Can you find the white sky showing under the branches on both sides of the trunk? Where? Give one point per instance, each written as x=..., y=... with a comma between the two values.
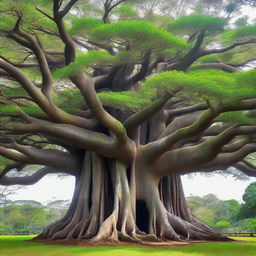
x=53, y=188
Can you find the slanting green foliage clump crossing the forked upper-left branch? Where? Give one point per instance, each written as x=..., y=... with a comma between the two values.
x=90, y=59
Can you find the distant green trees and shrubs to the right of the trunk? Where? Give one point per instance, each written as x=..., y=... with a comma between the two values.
x=226, y=215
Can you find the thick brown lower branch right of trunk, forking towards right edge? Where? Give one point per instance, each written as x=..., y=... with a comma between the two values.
x=200, y=155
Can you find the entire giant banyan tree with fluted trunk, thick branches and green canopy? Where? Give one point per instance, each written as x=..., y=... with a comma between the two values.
x=126, y=98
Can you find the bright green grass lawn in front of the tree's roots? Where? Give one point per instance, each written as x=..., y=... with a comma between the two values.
x=18, y=246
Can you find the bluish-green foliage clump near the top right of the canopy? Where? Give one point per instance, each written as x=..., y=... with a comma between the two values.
x=195, y=23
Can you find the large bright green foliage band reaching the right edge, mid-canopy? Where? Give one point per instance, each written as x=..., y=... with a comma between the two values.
x=211, y=84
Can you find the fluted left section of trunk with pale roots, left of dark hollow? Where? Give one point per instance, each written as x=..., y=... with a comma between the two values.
x=102, y=206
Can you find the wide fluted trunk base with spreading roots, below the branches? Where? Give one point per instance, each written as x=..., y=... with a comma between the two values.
x=103, y=208
